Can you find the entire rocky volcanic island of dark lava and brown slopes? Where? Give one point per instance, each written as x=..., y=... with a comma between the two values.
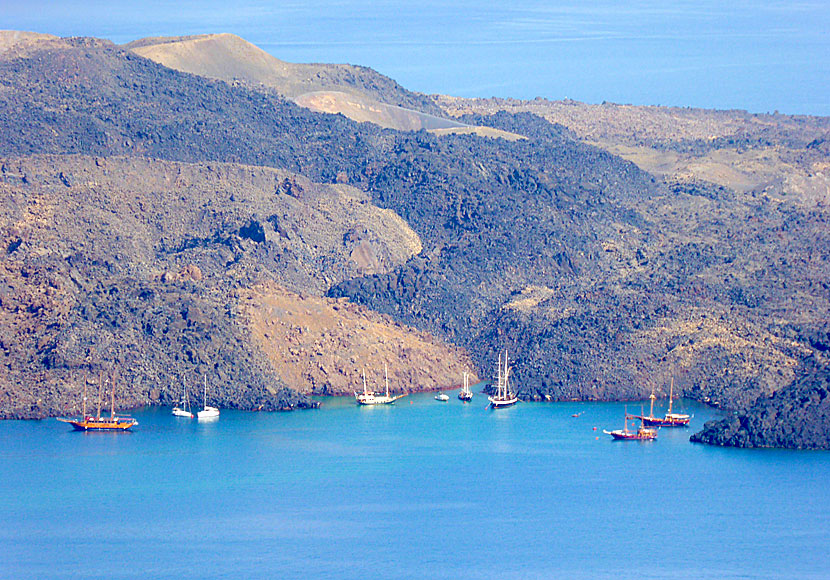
x=165, y=225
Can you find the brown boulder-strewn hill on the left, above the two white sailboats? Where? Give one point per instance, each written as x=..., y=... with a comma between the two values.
x=136, y=266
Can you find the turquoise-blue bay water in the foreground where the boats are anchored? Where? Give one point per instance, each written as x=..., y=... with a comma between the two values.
x=419, y=489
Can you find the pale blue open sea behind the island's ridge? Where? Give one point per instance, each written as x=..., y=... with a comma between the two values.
x=762, y=56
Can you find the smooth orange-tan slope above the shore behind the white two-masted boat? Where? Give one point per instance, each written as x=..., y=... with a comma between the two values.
x=321, y=345
